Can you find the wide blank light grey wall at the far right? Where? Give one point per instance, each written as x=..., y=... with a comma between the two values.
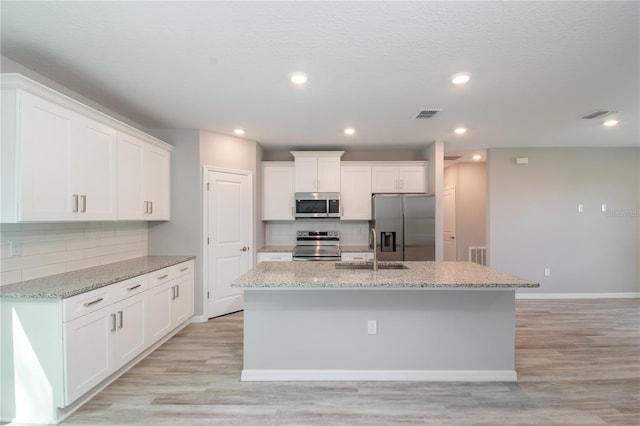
x=533, y=221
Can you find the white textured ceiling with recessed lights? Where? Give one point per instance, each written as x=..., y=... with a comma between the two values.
x=537, y=67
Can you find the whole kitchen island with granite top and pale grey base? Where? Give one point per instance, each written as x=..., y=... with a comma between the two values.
x=444, y=321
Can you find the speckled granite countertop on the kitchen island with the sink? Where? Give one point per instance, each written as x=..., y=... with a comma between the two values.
x=313, y=275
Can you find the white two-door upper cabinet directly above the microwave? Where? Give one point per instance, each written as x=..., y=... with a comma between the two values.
x=317, y=171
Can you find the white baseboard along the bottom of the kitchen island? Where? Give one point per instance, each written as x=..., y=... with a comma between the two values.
x=379, y=375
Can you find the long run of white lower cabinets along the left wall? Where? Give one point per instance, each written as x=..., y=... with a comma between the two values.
x=54, y=352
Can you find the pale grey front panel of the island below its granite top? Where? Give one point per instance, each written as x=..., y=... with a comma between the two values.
x=418, y=330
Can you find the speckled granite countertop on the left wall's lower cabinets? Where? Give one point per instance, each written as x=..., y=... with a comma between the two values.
x=69, y=284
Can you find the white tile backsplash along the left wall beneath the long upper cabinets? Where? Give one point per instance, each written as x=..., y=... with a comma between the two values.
x=34, y=250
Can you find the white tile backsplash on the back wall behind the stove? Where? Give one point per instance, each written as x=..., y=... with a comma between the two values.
x=284, y=233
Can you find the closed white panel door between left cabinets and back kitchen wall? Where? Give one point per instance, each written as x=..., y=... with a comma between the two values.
x=229, y=235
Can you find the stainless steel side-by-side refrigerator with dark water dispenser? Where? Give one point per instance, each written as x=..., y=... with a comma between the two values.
x=405, y=226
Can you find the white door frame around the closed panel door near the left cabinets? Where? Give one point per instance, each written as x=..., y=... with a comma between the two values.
x=205, y=227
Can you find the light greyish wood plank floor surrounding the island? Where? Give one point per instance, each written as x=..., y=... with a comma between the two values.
x=578, y=364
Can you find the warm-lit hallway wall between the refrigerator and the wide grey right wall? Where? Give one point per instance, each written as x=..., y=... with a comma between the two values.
x=470, y=182
